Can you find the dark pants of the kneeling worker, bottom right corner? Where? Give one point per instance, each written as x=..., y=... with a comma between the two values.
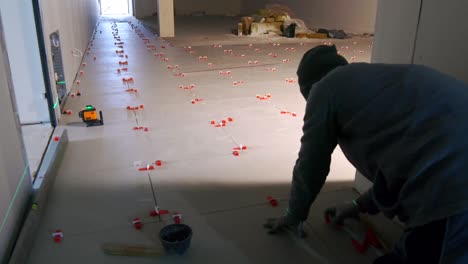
x=440, y=242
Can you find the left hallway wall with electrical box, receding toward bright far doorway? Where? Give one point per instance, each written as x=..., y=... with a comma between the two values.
x=75, y=21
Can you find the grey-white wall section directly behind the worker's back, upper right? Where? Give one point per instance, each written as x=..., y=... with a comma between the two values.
x=437, y=40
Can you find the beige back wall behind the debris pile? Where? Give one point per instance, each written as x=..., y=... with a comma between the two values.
x=357, y=16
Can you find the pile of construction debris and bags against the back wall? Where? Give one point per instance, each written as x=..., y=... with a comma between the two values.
x=276, y=19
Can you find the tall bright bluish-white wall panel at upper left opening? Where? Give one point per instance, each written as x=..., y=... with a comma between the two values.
x=24, y=58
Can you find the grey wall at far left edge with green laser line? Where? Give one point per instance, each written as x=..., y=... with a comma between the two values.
x=15, y=185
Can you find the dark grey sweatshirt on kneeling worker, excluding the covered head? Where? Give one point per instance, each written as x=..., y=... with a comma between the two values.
x=405, y=127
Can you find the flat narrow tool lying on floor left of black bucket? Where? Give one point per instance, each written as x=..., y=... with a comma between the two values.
x=131, y=250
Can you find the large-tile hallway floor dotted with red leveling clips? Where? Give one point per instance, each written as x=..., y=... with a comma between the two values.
x=99, y=189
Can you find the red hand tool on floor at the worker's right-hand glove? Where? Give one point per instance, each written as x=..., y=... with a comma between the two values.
x=362, y=236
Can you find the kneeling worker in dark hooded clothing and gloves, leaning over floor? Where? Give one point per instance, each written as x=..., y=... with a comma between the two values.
x=405, y=128
